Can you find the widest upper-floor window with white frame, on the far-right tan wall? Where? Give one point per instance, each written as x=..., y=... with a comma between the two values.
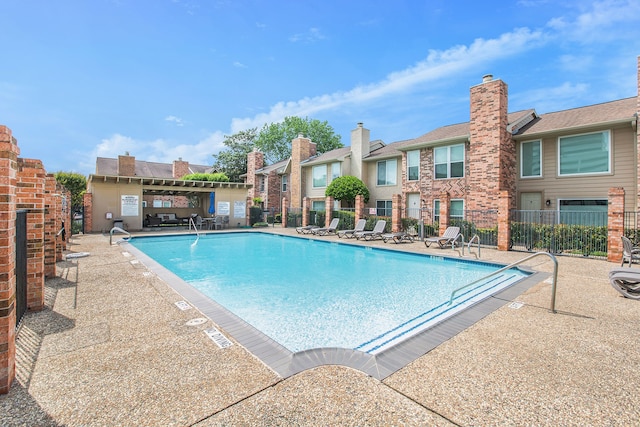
x=589, y=153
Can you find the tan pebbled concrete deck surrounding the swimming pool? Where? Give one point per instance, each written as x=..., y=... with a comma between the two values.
x=112, y=348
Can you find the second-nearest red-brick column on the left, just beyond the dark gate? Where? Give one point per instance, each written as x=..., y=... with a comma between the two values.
x=30, y=196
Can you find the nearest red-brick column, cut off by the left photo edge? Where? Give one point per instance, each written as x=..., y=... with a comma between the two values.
x=9, y=152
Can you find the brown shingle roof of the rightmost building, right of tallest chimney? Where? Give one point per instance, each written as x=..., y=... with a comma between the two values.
x=589, y=116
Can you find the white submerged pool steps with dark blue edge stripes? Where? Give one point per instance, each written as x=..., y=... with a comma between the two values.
x=438, y=313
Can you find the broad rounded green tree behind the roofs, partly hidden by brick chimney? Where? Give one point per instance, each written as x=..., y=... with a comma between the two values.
x=274, y=139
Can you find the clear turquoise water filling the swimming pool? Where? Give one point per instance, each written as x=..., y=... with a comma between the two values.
x=306, y=293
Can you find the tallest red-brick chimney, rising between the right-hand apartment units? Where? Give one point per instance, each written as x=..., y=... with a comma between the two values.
x=491, y=161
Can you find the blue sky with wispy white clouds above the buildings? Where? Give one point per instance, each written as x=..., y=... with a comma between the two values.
x=164, y=79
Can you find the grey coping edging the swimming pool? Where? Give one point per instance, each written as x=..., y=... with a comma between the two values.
x=380, y=365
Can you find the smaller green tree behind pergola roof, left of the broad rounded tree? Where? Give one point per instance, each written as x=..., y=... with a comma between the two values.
x=232, y=160
